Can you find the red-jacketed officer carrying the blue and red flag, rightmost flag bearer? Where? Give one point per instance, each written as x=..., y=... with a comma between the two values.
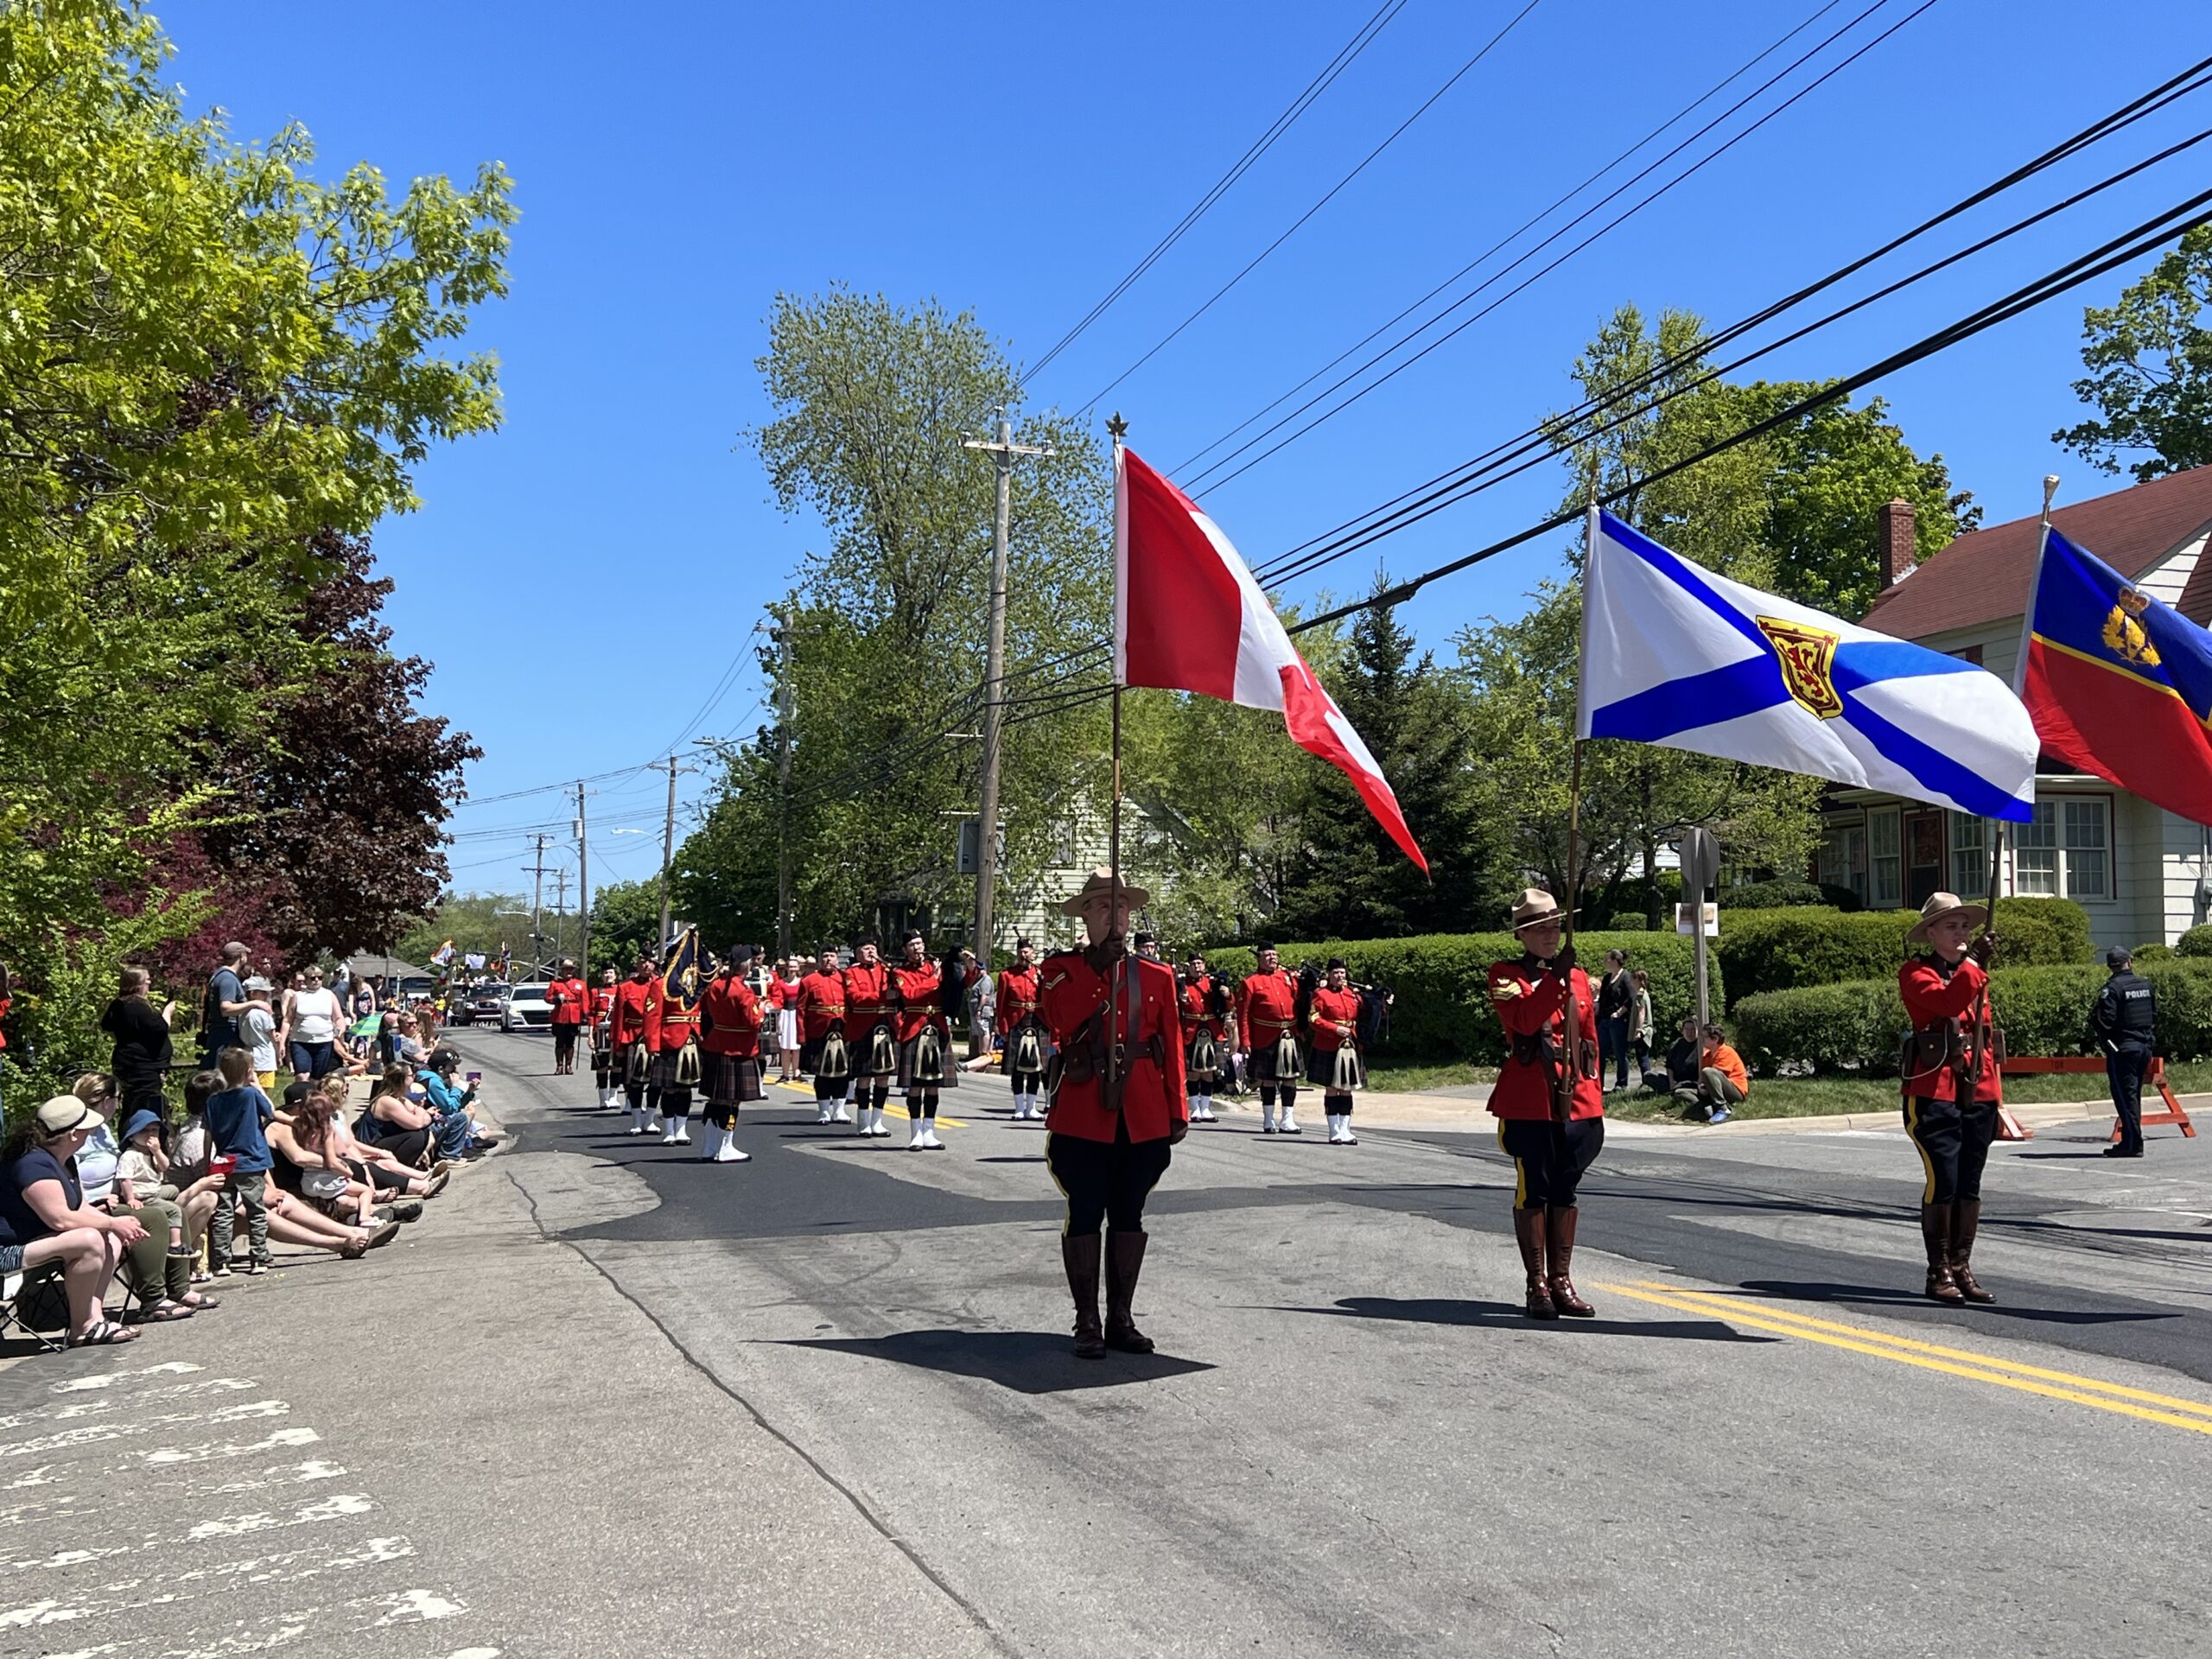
x=1952, y=1085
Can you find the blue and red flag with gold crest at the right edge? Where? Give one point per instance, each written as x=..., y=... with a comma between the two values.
x=2118, y=685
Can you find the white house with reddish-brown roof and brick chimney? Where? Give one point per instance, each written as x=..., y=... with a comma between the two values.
x=2138, y=870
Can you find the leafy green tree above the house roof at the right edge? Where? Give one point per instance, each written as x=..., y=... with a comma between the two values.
x=2149, y=364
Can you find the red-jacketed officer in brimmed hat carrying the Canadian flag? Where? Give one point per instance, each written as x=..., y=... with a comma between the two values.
x=1114, y=1019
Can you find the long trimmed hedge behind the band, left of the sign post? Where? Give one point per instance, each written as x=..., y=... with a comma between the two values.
x=1443, y=1005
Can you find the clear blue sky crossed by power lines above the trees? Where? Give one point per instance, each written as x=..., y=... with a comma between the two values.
x=585, y=578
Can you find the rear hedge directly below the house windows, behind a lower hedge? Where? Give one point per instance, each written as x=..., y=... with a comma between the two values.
x=1784, y=950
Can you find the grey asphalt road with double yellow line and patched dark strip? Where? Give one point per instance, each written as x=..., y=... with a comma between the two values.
x=623, y=1401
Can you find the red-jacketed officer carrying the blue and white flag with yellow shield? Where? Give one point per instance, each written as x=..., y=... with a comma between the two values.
x=1550, y=1147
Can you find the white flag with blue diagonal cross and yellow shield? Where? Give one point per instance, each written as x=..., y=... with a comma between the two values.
x=1673, y=654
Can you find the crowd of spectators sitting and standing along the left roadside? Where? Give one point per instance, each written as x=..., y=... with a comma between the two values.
x=114, y=1189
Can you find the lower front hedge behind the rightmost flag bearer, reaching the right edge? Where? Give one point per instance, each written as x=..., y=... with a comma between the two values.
x=2043, y=1010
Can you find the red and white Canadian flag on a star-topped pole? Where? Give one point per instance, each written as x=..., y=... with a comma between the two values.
x=1189, y=616
